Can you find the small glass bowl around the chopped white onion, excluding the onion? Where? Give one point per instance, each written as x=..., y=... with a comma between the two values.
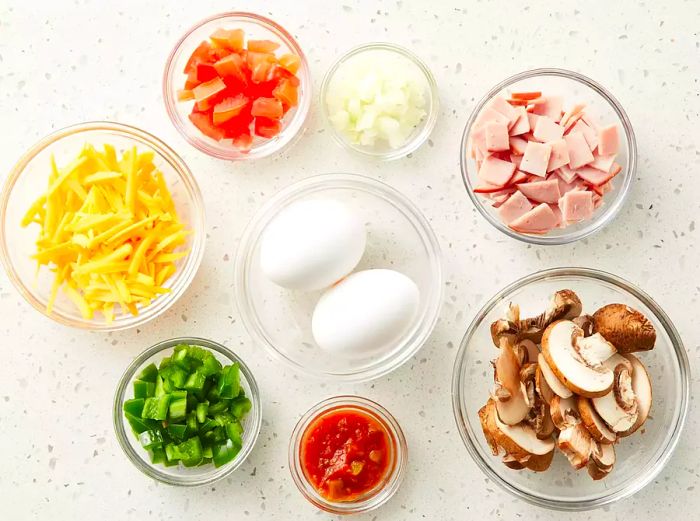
x=432, y=108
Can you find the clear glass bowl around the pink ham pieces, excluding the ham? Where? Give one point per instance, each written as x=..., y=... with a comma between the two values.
x=604, y=108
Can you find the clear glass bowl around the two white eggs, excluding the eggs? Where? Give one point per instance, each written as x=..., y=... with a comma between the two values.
x=398, y=237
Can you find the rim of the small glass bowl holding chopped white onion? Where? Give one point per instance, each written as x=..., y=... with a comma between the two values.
x=430, y=119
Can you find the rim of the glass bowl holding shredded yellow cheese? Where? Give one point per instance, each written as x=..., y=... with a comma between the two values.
x=132, y=133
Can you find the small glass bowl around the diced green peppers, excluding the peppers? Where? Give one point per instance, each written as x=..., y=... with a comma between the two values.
x=181, y=475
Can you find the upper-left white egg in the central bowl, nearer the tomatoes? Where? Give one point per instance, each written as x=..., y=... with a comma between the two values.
x=312, y=244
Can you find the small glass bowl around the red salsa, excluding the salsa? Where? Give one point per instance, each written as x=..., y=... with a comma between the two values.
x=397, y=467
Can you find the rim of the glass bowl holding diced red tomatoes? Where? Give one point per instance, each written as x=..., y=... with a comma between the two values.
x=294, y=126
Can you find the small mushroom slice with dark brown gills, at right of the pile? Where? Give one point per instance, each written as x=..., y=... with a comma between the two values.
x=619, y=407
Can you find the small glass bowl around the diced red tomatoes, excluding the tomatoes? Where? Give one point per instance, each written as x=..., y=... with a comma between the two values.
x=257, y=27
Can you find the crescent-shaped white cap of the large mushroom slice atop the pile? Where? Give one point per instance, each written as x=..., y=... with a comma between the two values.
x=558, y=347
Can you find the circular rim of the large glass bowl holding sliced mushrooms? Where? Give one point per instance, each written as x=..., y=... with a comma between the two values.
x=678, y=350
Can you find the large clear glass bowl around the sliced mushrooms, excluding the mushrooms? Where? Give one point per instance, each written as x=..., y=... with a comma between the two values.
x=640, y=457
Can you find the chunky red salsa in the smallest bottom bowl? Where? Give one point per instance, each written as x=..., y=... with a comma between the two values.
x=345, y=453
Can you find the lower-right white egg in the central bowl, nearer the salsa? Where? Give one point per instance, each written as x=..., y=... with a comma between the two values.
x=367, y=312
